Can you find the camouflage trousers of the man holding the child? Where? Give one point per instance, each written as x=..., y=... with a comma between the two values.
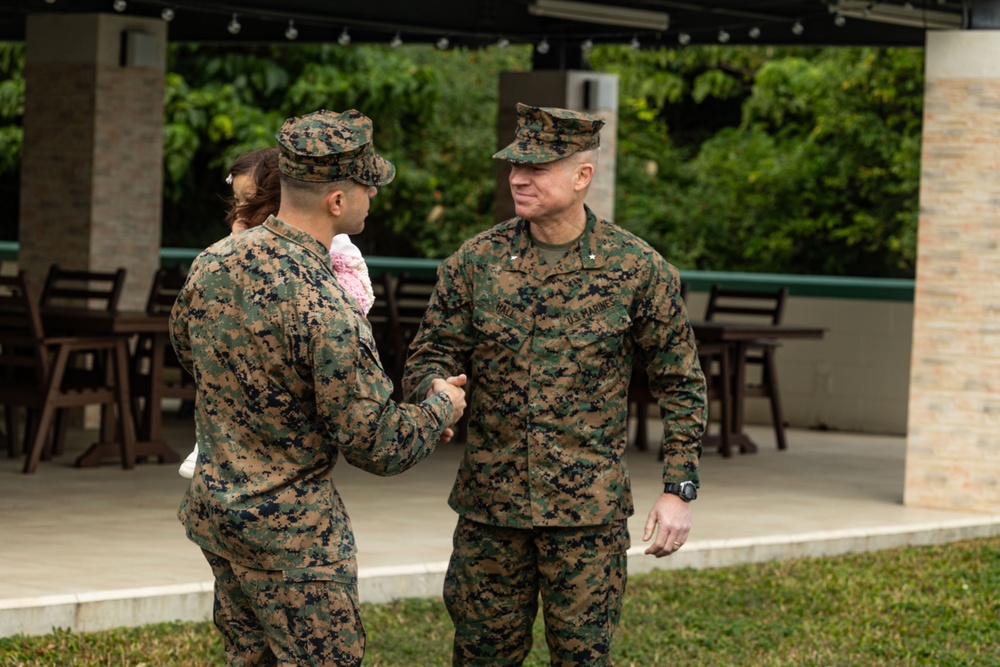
x=288, y=618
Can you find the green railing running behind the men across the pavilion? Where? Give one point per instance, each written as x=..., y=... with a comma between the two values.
x=874, y=289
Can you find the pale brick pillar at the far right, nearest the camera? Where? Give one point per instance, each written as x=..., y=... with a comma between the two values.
x=953, y=434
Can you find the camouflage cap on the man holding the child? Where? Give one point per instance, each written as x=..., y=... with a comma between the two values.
x=330, y=146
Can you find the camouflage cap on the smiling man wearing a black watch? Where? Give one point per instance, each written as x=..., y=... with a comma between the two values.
x=547, y=134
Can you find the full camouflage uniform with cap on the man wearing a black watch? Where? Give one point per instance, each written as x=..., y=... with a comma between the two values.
x=543, y=490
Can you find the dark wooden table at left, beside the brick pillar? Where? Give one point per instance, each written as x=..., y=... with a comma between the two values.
x=122, y=325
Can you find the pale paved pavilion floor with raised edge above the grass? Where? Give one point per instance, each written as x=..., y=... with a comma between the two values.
x=96, y=548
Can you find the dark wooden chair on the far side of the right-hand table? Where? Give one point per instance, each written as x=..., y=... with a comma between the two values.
x=752, y=305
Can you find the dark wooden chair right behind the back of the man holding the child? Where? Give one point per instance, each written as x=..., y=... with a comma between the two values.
x=166, y=379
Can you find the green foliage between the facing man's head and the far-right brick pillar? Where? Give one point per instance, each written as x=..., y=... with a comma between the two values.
x=818, y=174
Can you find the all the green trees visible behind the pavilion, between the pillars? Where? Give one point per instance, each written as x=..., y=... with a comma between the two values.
x=730, y=158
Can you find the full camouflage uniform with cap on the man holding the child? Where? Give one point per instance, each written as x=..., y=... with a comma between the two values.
x=288, y=379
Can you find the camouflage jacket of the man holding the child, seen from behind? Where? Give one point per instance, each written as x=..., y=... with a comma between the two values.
x=288, y=379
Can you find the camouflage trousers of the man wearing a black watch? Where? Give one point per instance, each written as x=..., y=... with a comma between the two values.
x=495, y=578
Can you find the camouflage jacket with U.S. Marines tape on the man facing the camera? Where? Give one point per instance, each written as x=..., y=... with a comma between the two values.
x=549, y=351
